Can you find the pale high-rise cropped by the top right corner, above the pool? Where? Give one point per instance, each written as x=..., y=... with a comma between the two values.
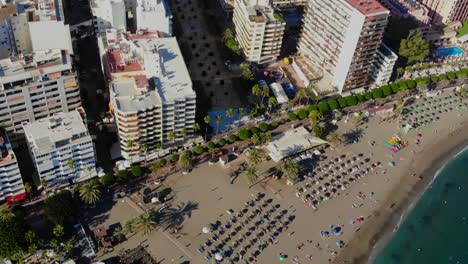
x=446, y=11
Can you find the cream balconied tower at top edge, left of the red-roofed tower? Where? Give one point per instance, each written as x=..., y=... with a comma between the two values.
x=259, y=30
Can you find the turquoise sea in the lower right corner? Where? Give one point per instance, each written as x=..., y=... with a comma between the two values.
x=436, y=230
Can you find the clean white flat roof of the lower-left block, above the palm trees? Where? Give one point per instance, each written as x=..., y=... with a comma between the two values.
x=61, y=127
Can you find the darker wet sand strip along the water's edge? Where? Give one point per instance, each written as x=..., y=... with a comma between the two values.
x=372, y=238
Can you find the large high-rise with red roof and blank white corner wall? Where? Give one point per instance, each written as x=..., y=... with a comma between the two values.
x=341, y=38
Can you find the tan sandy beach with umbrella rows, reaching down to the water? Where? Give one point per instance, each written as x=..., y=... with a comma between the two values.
x=363, y=211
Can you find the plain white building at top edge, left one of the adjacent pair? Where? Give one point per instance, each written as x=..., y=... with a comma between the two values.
x=109, y=14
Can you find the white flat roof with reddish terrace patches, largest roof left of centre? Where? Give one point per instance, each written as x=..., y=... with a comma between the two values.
x=156, y=70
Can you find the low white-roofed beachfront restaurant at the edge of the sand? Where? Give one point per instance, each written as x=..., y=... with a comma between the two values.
x=292, y=142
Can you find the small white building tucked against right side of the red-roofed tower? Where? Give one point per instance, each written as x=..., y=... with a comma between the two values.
x=383, y=65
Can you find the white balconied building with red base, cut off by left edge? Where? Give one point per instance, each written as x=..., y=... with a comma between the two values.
x=11, y=184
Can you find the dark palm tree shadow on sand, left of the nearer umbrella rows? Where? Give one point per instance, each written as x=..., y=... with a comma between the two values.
x=174, y=217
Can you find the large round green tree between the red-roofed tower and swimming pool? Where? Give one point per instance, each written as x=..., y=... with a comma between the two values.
x=414, y=48
